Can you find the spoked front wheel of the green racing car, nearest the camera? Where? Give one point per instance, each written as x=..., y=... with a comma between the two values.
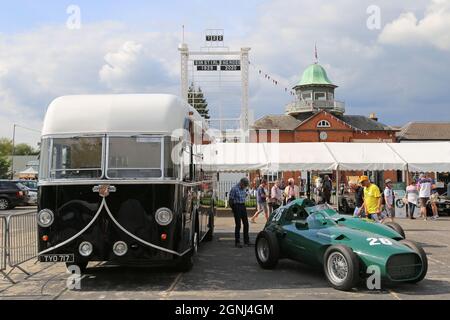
x=341, y=267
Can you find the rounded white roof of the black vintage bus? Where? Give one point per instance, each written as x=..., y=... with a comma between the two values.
x=124, y=113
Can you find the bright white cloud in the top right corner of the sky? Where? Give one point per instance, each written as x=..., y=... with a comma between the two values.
x=432, y=29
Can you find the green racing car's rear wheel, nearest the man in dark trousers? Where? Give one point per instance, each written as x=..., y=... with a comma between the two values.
x=267, y=250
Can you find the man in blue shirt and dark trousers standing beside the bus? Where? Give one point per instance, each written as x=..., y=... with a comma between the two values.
x=237, y=197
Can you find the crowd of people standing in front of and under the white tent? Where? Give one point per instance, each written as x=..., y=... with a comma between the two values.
x=370, y=202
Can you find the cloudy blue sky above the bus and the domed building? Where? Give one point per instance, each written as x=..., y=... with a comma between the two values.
x=387, y=57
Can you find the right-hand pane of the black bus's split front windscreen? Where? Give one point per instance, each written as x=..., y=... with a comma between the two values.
x=134, y=157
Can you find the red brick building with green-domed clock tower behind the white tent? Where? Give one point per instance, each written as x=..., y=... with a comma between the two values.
x=316, y=116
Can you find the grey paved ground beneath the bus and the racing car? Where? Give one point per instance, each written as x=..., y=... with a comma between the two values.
x=224, y=272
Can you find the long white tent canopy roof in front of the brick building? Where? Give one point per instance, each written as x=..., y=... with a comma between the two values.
x=415, y=157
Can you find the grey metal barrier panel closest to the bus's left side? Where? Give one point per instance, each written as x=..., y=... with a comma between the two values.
x=22, y=238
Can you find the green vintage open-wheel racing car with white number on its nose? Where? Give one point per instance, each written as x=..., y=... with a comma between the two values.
x=347, y=248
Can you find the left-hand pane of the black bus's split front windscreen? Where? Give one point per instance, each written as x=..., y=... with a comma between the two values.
x=75, y=158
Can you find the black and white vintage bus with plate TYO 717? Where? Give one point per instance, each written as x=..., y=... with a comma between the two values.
x=121, y=180
